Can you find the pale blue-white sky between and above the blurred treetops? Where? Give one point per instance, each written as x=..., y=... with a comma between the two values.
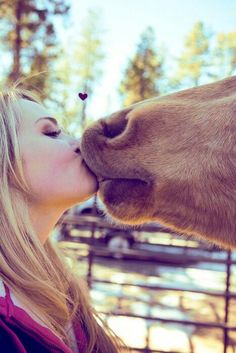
x=125, y=20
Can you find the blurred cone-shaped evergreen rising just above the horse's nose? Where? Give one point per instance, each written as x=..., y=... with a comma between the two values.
x=143, y=72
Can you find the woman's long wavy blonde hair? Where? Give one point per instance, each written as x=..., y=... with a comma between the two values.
x=37, y=273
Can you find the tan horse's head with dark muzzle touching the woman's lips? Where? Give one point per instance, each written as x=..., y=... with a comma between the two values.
x=171, y=159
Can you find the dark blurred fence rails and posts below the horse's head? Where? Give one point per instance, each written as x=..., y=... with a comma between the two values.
x=94, y=224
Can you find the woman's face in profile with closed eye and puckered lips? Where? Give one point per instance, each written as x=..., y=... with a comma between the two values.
x=55, y=171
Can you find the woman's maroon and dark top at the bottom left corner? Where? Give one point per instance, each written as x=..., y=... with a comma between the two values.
x=20, y=333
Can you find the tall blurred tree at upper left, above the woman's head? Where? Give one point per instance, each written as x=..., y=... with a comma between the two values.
x=28, y=35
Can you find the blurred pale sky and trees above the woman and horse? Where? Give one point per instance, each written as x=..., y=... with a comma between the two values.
x=119, y=52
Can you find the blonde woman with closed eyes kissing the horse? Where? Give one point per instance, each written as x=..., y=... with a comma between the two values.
x=43, y=306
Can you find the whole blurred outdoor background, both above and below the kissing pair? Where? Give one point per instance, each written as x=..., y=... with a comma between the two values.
x=161, y=292
